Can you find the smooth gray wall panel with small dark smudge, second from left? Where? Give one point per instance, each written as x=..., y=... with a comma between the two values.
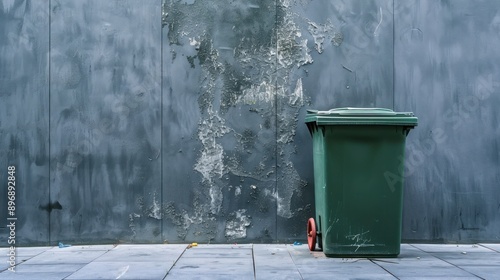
x=105, y=121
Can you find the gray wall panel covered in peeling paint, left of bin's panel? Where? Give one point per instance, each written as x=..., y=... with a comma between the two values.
x=219, y=121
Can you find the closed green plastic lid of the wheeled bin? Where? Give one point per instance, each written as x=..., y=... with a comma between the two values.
x=361, y=116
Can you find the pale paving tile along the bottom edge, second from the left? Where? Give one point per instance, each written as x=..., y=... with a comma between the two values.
x=122, y=270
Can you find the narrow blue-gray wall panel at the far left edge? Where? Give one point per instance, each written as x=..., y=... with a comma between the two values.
x=24, y=117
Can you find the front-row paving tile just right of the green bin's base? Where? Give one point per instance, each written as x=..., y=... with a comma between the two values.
x=423, y=268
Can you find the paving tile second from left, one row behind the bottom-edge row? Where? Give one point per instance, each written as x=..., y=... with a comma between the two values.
x=61, y=257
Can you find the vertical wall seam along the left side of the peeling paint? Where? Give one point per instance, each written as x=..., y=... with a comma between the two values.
x=161, y=118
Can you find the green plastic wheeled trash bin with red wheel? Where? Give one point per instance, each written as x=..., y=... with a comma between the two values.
x=358, y=180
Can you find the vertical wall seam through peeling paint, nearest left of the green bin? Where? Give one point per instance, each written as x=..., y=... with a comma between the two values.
x=276, y=112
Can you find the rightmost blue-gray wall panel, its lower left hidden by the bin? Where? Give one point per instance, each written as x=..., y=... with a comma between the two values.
x=447, y=73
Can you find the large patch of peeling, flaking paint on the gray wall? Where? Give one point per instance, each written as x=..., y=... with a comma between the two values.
x=241, y=71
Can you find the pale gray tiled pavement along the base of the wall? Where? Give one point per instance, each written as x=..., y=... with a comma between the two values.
x=249, y=261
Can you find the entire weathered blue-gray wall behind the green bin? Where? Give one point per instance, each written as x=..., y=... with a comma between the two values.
x=182, y=120
